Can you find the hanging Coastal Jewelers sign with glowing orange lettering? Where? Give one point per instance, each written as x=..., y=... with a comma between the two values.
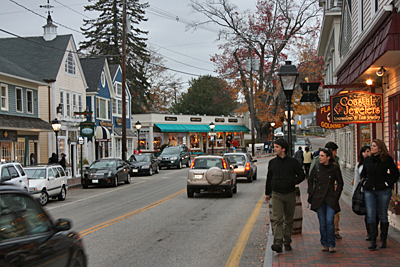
x=357, y=107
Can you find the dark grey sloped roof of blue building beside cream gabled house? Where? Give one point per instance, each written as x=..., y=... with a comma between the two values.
x=92, y=68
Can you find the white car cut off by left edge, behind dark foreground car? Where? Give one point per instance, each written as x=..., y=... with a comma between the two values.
x=13, y=173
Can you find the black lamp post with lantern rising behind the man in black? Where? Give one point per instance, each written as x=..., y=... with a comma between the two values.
x=288, y=75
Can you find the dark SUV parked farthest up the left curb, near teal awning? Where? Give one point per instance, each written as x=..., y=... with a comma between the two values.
x=174, y=156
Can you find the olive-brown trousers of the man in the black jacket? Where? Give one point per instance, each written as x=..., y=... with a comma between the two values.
x=283, y=206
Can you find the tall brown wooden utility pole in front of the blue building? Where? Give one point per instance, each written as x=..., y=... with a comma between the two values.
x=124, y=80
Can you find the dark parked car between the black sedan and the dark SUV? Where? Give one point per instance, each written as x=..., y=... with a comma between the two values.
x=145, y=163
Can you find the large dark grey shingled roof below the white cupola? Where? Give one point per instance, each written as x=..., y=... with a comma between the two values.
x=33, y=57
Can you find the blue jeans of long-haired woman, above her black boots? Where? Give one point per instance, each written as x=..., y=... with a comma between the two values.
x=377, y=202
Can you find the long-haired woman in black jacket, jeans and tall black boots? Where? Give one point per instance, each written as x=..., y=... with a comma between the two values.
x=381, y=174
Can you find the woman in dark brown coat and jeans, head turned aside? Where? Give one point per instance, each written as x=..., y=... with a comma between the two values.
x=325, y=195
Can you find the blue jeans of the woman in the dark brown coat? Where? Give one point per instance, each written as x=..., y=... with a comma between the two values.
x=326, y=217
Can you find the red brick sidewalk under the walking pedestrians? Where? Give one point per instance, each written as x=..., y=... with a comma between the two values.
x=350, y=251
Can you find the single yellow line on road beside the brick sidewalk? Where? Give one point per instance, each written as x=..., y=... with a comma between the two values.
x=237, y=251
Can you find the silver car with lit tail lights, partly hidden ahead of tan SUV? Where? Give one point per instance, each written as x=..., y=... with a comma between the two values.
x=247, y=166
